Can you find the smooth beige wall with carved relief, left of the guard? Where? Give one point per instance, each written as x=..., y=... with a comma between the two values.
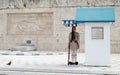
x=42, y=26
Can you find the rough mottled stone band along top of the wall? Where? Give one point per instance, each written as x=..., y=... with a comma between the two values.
x=56, y=3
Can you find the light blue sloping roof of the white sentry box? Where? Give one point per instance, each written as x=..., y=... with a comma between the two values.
x=95, y=15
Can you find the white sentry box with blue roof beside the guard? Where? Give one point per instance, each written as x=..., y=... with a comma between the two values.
x=97, y=23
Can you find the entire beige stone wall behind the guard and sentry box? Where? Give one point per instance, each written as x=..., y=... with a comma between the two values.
x=40, y=22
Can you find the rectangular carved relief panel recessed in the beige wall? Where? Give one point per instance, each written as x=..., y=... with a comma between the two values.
x=30, y=24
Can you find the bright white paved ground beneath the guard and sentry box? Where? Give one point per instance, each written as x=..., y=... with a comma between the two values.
x=53, y=64
